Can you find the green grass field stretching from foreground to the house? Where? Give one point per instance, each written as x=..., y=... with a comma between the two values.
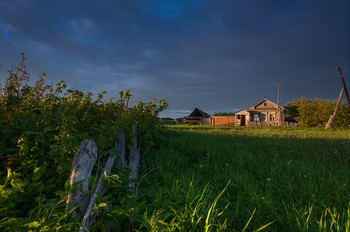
x=207, y=178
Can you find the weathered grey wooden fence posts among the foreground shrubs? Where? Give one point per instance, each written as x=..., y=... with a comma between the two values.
x=83, y=200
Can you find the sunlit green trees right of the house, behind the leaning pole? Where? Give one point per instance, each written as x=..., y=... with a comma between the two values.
x=316, y=112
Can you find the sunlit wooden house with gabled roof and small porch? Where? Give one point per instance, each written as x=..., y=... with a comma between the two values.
x=263, y=113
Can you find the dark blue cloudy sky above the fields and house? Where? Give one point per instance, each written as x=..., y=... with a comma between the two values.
x=216, y=55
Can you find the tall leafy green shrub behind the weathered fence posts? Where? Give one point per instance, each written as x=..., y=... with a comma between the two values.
x=41, y=127
